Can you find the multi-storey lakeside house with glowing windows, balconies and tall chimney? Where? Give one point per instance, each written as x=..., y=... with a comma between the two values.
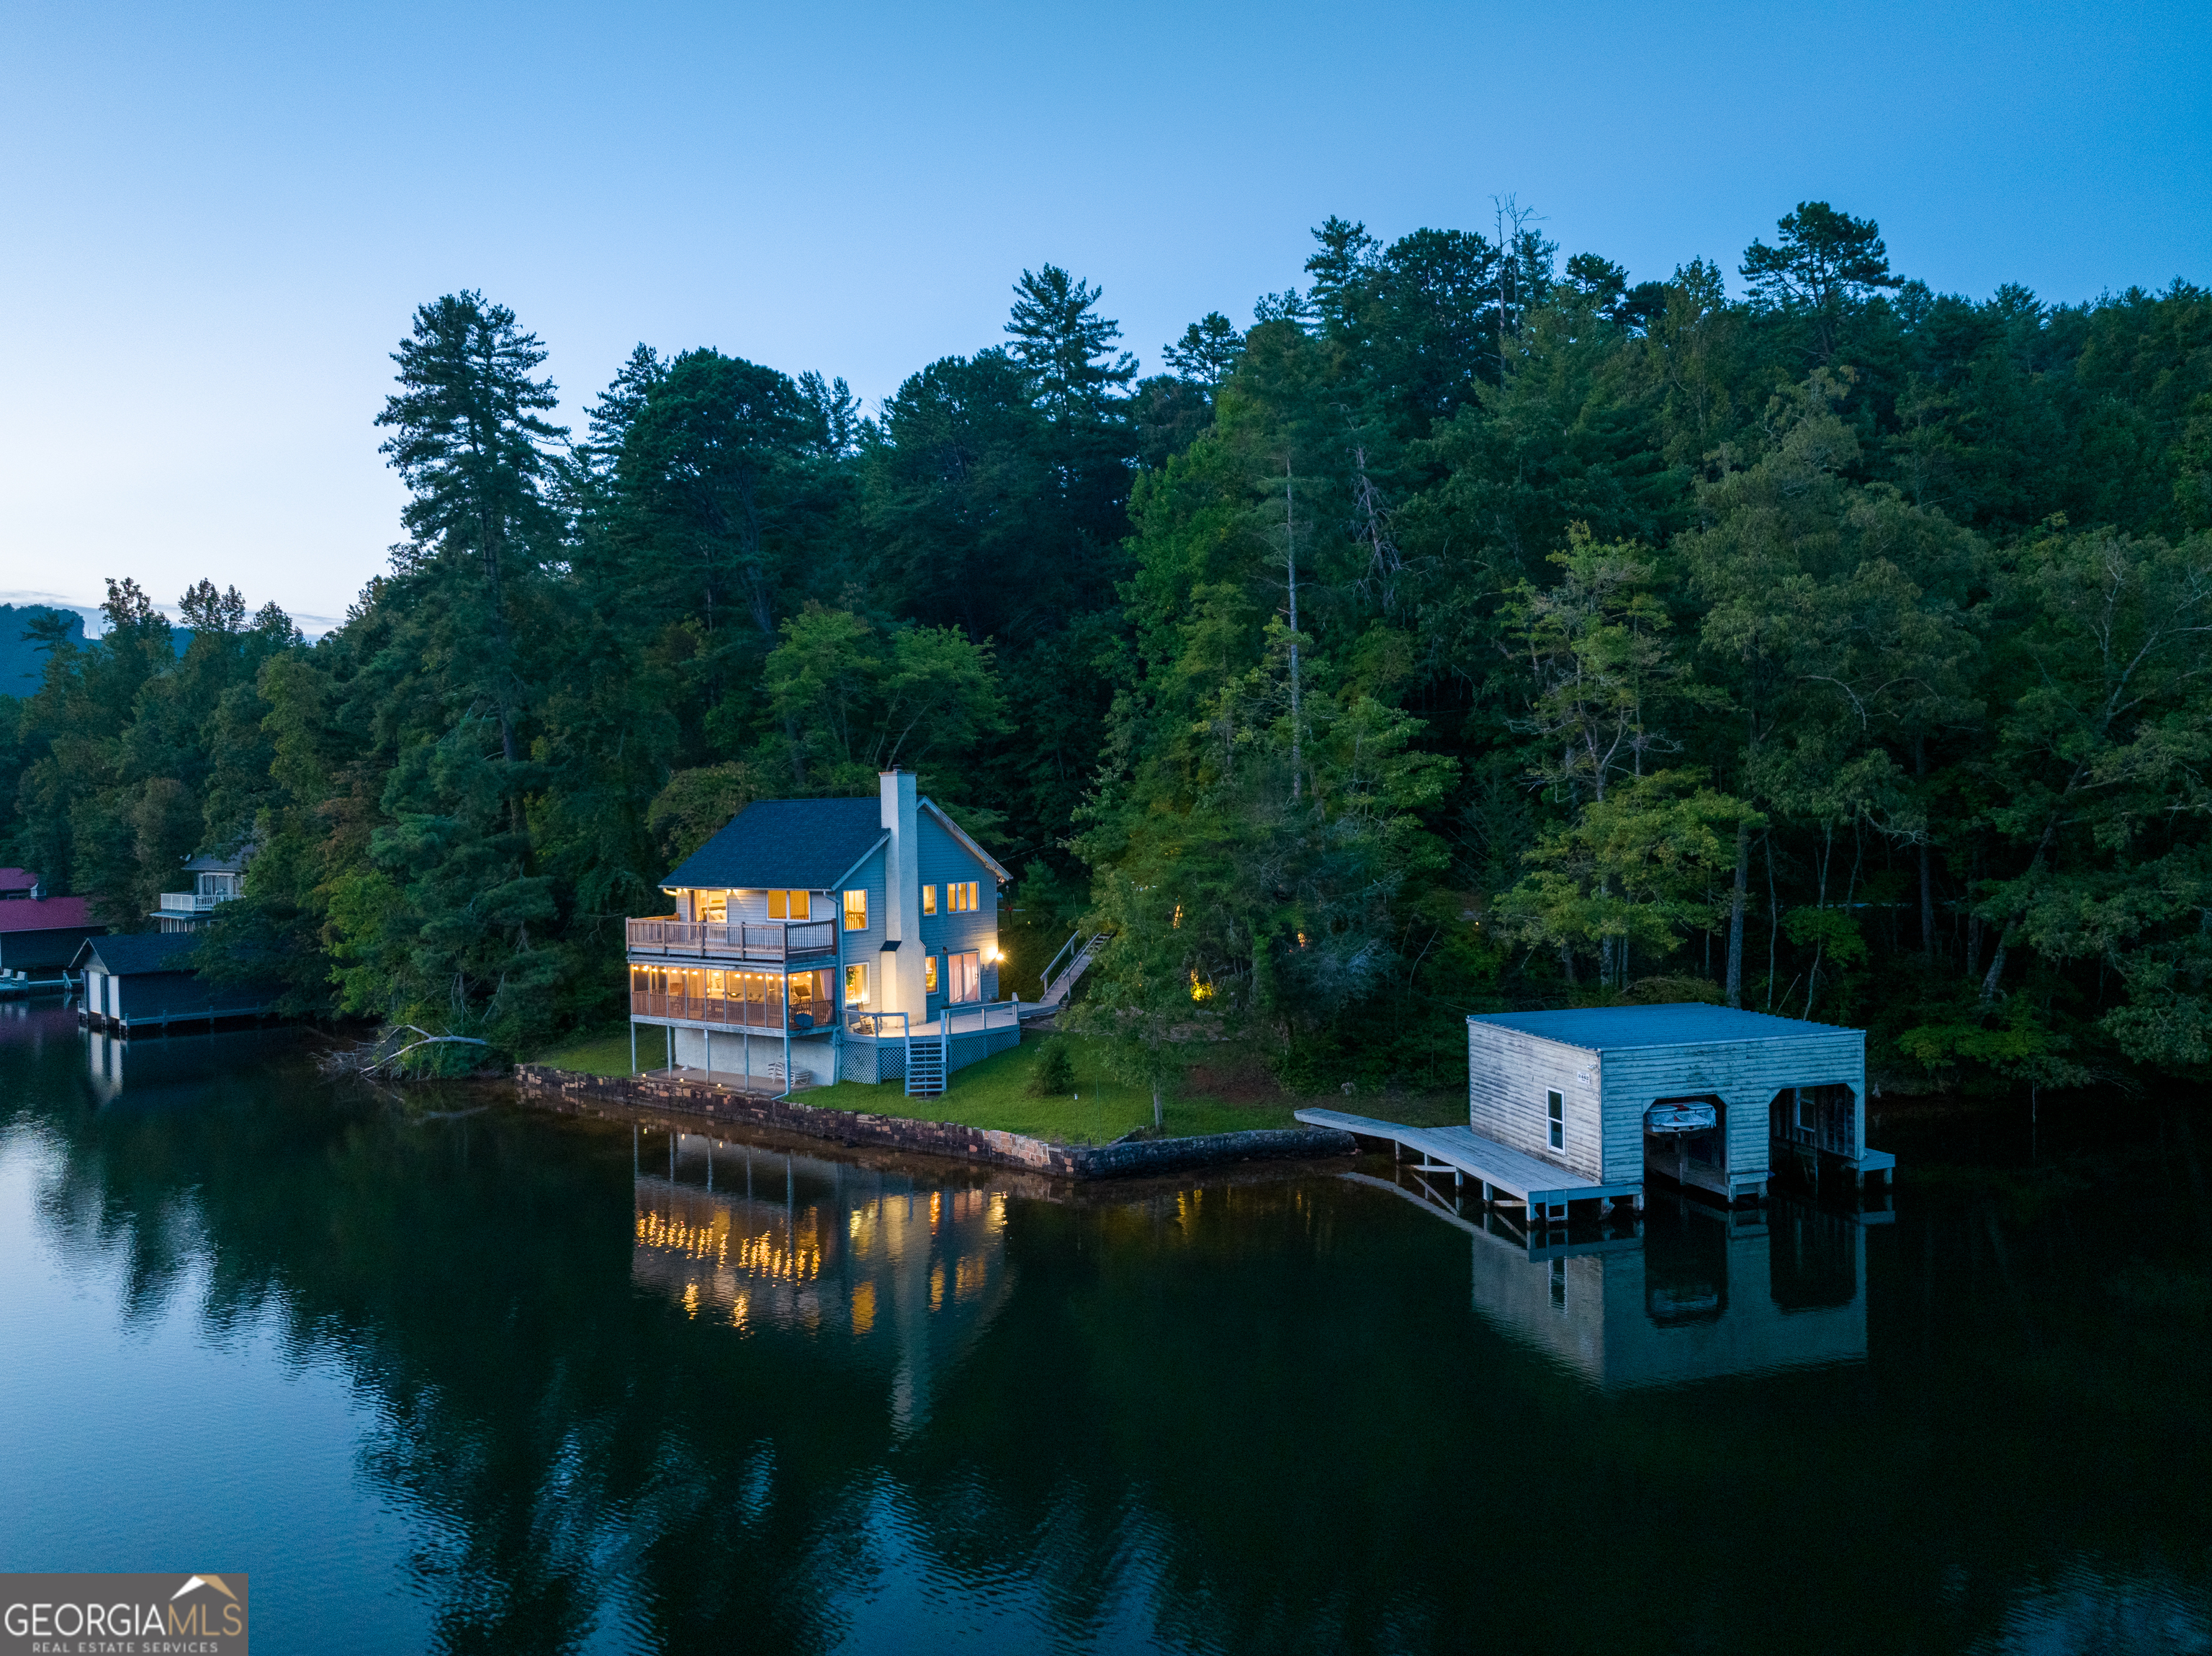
x=828, y=939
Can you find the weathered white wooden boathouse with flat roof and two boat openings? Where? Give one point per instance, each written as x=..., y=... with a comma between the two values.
x=1702, y=1096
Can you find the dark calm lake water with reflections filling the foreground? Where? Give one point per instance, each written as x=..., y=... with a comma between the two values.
x=466, y=1379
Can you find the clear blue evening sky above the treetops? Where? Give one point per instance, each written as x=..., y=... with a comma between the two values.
x=220, y=218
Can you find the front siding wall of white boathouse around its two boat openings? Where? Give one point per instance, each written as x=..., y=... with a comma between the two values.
x=1744, y=1076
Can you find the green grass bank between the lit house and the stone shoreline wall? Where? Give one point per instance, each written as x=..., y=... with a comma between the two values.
x=1096, y=1111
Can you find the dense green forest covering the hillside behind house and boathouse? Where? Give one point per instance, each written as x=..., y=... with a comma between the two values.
x=1472, y=631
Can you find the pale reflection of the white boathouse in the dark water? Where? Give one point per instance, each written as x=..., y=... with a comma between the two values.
x=1702, y=1295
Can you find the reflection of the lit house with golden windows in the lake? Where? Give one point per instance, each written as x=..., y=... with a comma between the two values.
x=775, y=1239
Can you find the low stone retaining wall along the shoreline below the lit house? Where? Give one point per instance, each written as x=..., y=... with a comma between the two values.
x=930, y=1138
